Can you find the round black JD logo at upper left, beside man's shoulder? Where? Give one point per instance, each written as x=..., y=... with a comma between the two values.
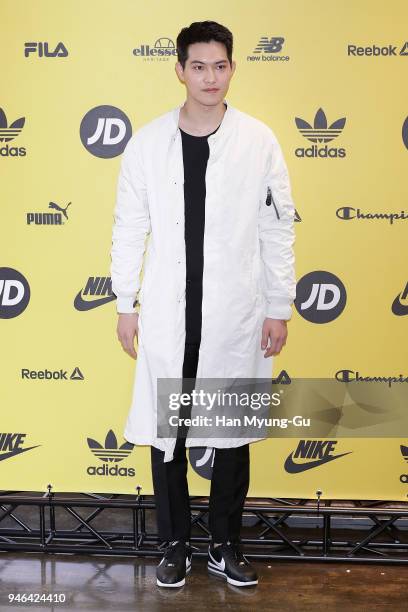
x=105, y=131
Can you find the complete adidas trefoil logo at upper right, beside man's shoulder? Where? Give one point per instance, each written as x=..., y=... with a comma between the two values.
x=320, y=132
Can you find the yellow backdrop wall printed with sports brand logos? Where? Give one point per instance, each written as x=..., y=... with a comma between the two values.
x=301, y=67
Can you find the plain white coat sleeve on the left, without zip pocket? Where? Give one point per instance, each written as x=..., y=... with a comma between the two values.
x=130, y=228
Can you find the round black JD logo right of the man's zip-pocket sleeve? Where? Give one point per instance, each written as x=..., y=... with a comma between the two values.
x=320, y=297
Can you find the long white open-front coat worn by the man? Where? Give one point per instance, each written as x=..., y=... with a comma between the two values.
x=248, y=258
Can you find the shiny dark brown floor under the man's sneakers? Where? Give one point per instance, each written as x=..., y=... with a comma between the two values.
x=121, y=583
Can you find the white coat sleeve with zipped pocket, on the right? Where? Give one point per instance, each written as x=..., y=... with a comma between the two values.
x=277, y=235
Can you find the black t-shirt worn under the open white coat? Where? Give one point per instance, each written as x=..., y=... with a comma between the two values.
x=195, y=156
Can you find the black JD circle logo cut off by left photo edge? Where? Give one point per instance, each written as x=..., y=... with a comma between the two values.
x=14, y=293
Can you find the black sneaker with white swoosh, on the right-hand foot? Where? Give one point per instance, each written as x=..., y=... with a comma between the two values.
x=228, y=561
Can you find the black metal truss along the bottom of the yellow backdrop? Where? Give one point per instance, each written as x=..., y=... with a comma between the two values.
x=350, y=531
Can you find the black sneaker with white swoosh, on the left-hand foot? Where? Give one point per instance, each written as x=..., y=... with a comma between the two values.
x=175, y=564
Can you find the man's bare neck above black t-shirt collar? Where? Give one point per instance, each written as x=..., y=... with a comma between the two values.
x=200, y=120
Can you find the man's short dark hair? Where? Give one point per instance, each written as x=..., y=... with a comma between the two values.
x=203, y=31
